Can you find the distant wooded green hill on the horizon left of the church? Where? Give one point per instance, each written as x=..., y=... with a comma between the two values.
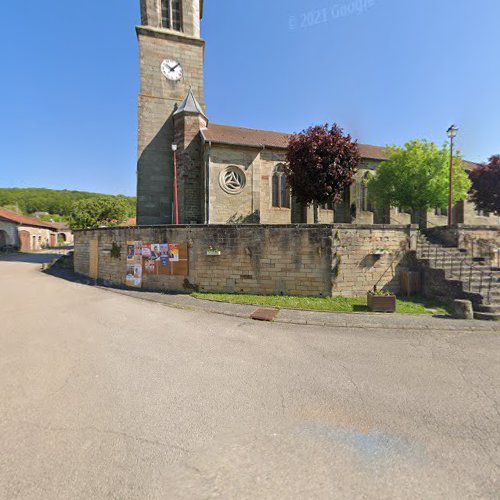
x=52, y=201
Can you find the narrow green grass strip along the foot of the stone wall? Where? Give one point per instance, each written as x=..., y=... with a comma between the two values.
x=412, y=305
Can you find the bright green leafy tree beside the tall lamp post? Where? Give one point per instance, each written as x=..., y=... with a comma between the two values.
x=416, y=178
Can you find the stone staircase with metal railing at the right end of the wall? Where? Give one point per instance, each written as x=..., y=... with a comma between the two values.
x=462, y=277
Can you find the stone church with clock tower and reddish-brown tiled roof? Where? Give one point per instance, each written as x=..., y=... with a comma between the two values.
x=193, y=171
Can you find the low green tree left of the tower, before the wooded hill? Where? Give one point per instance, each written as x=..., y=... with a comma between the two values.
x=98, y=212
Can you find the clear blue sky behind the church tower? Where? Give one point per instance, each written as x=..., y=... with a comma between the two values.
x=385, y=70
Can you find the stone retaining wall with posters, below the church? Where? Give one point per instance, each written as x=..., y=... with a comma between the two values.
x=310, y=260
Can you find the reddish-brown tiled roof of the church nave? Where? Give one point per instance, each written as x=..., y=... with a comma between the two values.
x=239, y=136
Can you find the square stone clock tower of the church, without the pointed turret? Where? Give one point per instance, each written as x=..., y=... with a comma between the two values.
x=170, y=31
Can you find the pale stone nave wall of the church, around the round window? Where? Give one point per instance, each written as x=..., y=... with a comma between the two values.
x=254, y=203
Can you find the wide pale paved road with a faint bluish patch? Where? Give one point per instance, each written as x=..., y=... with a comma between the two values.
x=107, y=396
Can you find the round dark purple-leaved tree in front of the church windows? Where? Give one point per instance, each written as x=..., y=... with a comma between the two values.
x=321, y=162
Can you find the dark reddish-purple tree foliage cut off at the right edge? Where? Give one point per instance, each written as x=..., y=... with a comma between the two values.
x=486, y=186
